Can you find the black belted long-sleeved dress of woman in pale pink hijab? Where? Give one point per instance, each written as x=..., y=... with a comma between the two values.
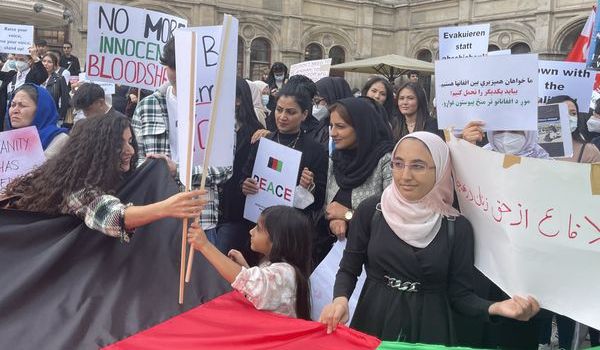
x=443, y=270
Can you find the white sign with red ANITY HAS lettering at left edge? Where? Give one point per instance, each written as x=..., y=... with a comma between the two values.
x=20, y=152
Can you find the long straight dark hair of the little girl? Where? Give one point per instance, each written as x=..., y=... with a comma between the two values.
x=291, y=233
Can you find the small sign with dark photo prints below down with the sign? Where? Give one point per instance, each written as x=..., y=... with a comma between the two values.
x=554, y=133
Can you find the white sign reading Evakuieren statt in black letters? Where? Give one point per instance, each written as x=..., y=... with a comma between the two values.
x=464, y=41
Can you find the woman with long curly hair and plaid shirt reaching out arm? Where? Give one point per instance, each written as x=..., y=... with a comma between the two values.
x=82, y=181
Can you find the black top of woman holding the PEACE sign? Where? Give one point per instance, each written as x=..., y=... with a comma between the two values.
x=314, y=157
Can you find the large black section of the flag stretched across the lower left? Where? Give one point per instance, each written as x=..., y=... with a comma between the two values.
x=64, y=286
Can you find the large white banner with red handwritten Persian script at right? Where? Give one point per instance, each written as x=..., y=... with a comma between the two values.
x=536, y=225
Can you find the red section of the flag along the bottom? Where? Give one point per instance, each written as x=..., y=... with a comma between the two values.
x=232, y=322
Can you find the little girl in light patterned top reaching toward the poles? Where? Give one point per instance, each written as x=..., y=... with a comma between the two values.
x=280, y=283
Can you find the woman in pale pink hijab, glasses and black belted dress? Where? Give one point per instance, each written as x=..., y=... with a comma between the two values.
x=418, y=254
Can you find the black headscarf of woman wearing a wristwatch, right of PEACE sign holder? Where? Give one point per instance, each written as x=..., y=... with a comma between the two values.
x=352, y=167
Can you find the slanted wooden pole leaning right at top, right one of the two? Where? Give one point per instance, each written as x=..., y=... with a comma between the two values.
x=213, y=120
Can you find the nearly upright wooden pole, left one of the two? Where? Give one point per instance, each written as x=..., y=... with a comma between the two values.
x=190, y=154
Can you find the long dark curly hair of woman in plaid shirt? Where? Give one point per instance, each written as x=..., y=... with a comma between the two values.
x=90, y=159
